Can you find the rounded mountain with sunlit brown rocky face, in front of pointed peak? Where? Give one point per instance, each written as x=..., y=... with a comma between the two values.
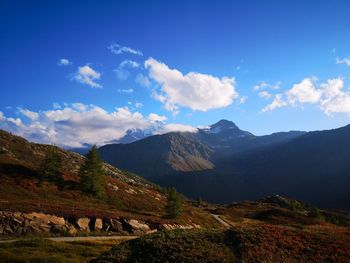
x=160, y=154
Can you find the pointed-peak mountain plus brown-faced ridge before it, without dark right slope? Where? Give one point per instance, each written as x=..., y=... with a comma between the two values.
x=174, y=152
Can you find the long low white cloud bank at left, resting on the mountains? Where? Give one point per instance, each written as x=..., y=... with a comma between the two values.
x=77, y=124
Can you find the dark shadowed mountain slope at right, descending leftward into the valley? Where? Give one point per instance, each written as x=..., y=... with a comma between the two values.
x=313, y=167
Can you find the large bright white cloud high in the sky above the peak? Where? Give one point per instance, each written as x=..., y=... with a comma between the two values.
x=199, y=92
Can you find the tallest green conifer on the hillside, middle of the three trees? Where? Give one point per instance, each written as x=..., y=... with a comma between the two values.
x=92, y=175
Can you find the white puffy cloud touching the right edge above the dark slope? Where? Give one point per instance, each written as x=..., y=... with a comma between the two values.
x=330, y=96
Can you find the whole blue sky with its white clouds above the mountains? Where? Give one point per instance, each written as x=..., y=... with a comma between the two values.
x=290, y=61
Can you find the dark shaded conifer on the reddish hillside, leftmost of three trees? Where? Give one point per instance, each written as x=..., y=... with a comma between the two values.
x=50, y=167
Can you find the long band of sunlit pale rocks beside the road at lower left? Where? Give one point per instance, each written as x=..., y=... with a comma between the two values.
x=16, y=224
